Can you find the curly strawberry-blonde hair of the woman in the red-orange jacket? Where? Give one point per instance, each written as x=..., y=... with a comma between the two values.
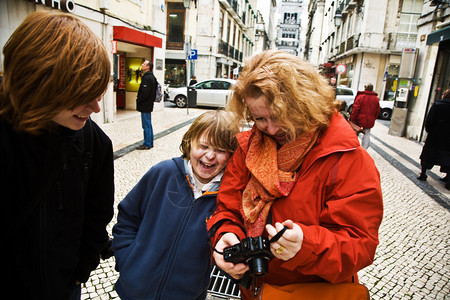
x=299, y=97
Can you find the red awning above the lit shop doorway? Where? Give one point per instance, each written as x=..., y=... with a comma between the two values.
x=133, y=36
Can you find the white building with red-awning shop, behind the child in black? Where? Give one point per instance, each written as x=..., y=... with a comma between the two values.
x=126, y=29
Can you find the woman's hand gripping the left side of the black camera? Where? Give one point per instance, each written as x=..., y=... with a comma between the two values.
x=234, y=270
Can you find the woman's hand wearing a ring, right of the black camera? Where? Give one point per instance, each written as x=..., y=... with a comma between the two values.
x=289, y=243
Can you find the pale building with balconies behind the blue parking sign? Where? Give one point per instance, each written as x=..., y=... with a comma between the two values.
x=220, y=33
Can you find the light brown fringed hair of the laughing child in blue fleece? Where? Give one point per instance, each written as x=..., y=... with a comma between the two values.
x=220, y=132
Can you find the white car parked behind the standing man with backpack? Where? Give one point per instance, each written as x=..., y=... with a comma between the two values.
x=211, y=92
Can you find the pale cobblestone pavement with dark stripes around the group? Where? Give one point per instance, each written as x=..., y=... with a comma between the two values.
x=412, y=260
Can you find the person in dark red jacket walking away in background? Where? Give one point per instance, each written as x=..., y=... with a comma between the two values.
x=366, y=109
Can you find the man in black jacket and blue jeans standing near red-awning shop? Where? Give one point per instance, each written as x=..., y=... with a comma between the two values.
x=144, y=103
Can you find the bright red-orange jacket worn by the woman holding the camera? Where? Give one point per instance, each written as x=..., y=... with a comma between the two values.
x=337, y=202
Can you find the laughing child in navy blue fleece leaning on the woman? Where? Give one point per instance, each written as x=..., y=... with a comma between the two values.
x=160, y=239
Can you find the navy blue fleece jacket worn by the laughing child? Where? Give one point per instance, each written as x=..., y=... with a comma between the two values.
x=160, y=239
